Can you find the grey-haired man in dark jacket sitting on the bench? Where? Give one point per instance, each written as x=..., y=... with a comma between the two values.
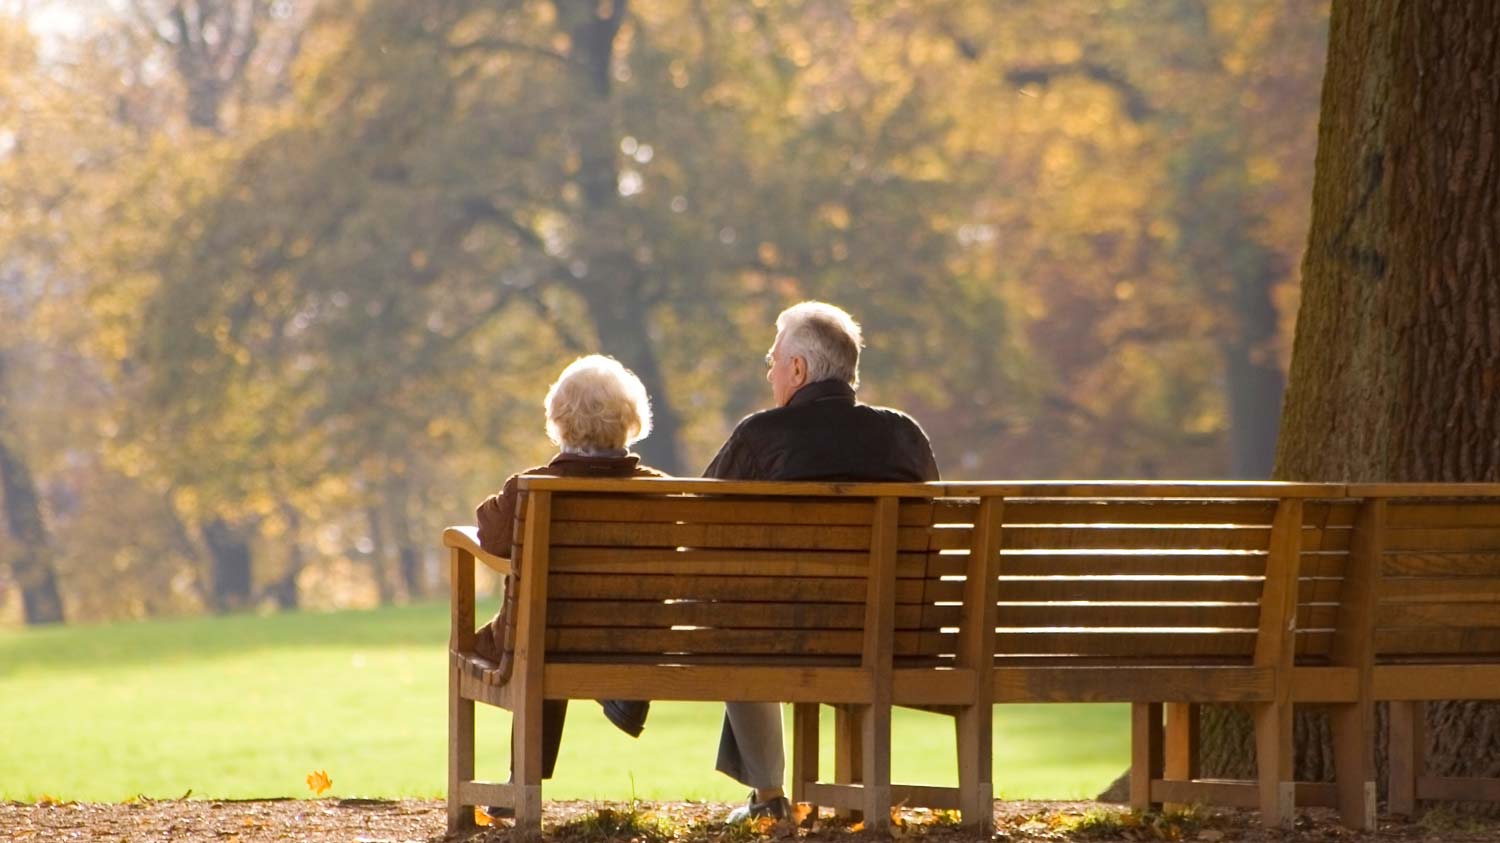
x=817, y=431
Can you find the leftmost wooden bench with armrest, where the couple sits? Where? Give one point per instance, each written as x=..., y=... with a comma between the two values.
x=697, y=590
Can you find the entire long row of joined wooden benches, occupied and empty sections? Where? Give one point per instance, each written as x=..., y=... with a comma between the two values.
x=959, y=596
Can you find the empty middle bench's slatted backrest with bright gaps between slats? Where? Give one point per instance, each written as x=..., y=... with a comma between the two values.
x=1135, y=580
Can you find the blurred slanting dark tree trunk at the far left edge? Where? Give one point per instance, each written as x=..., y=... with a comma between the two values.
x=41, y=602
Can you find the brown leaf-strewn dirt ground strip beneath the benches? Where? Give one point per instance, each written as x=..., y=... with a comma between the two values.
x=379, y=821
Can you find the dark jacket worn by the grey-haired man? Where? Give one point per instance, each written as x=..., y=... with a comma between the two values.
x=824, y=434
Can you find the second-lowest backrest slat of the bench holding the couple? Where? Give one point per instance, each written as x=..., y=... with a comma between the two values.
x=626, y=614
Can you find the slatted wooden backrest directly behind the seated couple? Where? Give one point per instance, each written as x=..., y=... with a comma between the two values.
x=743, y=578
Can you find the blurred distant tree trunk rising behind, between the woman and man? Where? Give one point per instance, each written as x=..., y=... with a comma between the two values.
x=613, y=283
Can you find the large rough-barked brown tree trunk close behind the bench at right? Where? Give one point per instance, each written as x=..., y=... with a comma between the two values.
x=1396, y=373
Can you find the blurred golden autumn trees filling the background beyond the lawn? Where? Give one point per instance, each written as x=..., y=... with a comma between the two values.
x=283, y=283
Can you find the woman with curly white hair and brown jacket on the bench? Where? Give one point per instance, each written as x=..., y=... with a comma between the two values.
x=596, y=410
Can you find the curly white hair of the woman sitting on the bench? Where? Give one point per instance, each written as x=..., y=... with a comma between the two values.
x=598, y=404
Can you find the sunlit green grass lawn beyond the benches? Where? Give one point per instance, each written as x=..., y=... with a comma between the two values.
x=250, y=706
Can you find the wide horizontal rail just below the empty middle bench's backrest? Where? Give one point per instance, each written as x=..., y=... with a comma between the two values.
x=1133, y=685
